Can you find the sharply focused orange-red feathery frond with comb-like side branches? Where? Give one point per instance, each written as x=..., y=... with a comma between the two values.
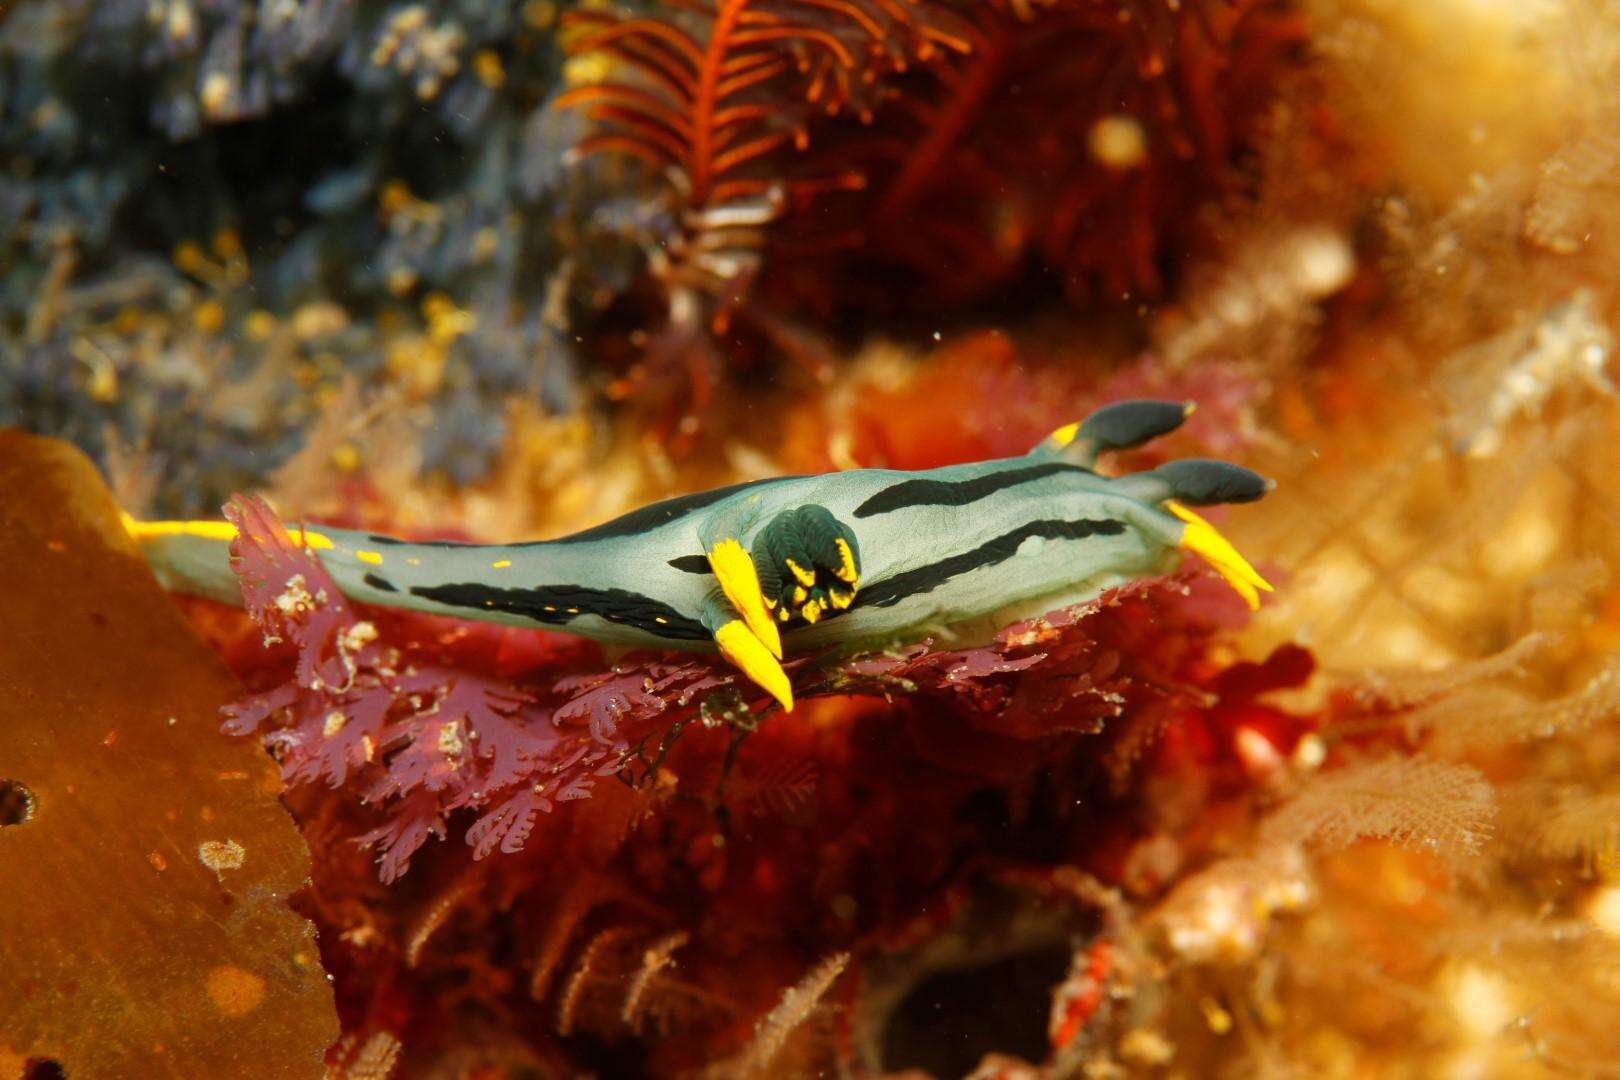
x=712, y=93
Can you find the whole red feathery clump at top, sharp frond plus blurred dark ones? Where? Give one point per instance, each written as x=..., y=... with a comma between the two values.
x=877, y=155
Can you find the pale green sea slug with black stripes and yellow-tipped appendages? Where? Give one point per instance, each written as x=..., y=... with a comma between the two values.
x=799, y=564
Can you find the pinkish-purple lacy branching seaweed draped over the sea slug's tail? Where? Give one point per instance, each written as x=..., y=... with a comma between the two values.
x=417, y=738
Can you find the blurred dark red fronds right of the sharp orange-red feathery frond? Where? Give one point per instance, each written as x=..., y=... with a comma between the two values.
x=1073, y=140
